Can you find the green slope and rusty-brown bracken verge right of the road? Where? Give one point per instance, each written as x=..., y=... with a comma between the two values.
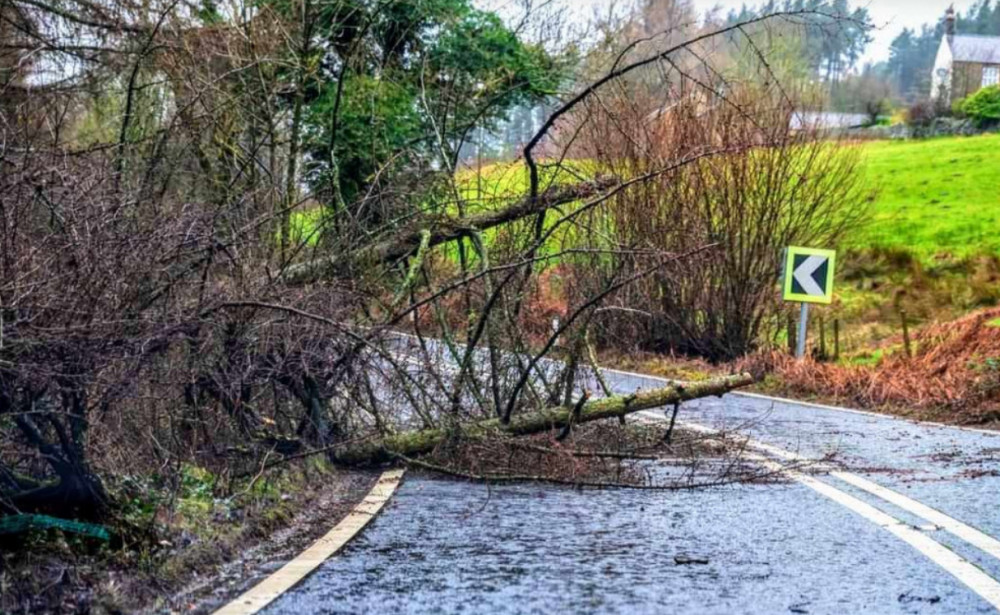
x=925, y=255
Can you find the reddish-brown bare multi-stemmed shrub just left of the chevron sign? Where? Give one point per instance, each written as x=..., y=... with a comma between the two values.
x=765, y=187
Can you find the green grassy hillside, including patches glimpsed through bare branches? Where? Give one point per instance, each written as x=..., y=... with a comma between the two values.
x=931, y=244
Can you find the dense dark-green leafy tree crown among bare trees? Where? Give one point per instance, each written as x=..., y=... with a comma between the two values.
x=401, y=85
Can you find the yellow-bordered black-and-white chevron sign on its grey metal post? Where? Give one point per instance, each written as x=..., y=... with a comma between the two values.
x=808, y=279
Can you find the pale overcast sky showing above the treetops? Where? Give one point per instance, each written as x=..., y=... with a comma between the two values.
x=890, y=16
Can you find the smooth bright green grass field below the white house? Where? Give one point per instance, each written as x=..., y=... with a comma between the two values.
x=937, y=197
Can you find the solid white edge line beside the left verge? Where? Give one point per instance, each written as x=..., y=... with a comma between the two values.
x=265, y=592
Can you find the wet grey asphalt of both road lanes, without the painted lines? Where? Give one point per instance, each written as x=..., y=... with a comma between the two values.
x=450, y=547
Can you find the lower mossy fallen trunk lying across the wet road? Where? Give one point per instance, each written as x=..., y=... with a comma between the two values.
x=417, y=443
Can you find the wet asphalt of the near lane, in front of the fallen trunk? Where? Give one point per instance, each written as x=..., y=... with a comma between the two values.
x=453, y=547
